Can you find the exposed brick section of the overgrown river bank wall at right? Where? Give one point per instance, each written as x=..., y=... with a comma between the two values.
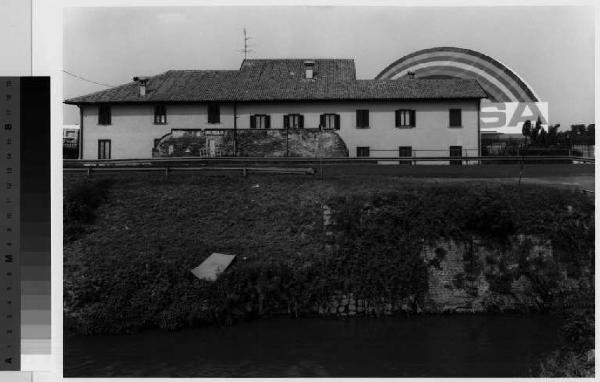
x=453, y=288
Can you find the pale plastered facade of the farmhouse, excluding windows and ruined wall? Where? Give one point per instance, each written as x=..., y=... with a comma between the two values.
x=132, y=130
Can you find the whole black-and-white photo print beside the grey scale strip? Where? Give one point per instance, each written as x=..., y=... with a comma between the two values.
x=336, y=191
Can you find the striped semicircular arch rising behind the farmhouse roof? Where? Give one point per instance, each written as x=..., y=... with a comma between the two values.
x=501, y=83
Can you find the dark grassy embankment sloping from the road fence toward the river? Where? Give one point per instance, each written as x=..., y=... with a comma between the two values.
x=130, y=241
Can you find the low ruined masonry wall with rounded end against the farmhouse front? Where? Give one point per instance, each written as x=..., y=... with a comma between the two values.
x=251, y=143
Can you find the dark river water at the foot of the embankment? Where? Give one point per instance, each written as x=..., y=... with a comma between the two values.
x=416, y=346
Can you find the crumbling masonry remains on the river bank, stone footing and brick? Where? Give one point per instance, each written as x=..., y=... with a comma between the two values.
x=471, y=276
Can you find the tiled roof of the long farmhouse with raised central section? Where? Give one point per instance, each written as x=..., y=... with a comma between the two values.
x=281, y=80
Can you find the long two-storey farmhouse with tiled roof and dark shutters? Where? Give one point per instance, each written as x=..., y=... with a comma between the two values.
x=280, y=107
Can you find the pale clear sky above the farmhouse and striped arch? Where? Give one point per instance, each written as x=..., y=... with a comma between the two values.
x=551, y=48
